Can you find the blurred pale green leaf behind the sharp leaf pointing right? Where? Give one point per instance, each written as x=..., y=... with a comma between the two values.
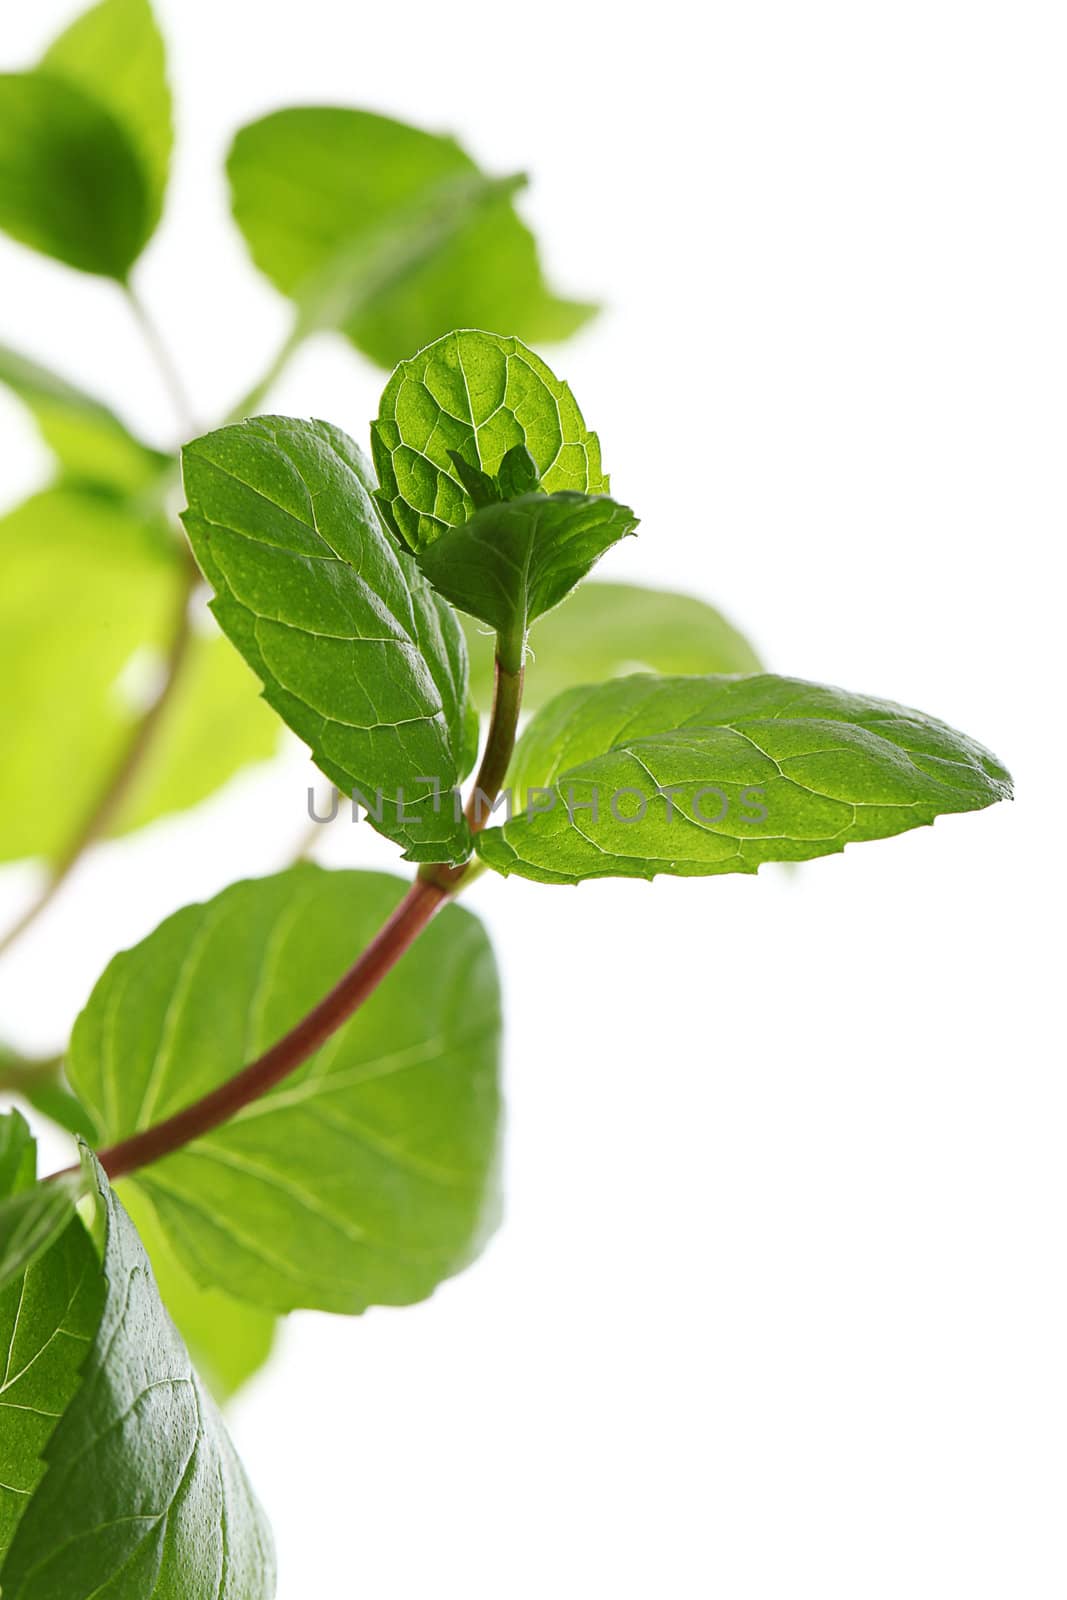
x=607, y=631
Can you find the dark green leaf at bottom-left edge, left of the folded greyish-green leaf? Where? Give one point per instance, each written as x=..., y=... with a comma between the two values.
x=49, y=1318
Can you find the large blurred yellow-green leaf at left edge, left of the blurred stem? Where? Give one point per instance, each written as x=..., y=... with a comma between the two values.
x=90, y=588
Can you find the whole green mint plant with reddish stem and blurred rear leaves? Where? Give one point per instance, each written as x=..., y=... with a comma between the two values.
x=290, y=1097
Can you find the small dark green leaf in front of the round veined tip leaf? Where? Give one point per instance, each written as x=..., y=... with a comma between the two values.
x=516, y=561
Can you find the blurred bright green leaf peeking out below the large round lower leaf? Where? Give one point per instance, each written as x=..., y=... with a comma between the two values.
x=228, y=1340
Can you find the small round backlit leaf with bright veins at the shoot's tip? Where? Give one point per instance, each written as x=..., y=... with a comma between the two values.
x=478, y=394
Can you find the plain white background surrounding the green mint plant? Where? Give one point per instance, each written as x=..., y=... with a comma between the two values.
x=778, y=1308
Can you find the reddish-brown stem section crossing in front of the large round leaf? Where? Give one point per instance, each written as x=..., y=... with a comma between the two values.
x=415, y=911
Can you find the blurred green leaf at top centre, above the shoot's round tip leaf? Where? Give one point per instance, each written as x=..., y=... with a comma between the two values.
x=394, y=228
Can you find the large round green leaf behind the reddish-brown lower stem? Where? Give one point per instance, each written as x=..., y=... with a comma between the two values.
x=367, y=1177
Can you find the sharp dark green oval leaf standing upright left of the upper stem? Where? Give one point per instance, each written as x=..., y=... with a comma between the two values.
x=351, y=646
